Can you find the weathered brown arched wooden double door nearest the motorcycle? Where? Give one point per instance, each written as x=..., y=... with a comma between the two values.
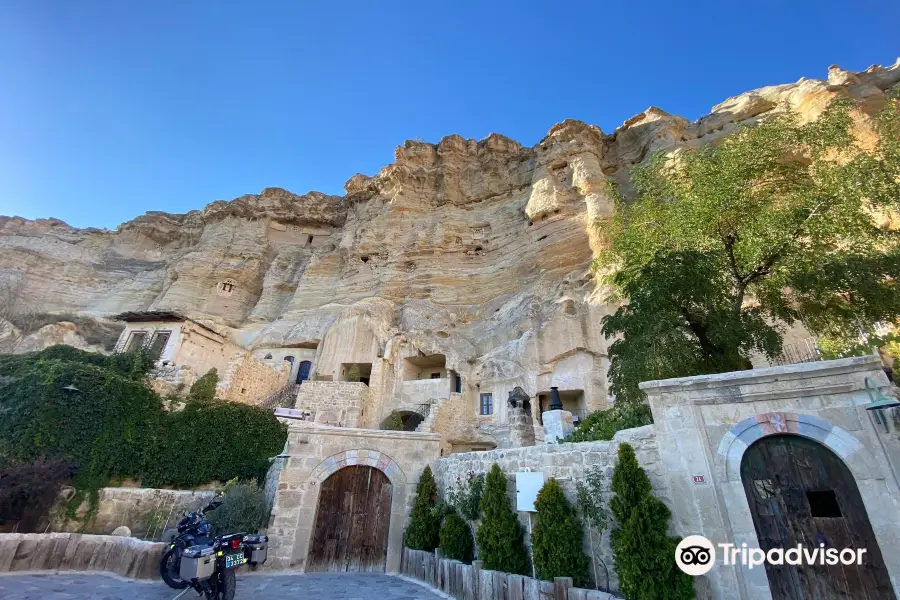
x=352, y=521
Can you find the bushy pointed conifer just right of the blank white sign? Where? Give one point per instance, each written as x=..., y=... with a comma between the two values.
x=557, y=536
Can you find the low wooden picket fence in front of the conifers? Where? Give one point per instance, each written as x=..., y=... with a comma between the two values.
x=471, y=582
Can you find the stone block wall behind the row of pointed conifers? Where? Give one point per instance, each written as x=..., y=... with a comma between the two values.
x=567, y=463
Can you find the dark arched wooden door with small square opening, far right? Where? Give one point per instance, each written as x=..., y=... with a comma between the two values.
x=802, y=493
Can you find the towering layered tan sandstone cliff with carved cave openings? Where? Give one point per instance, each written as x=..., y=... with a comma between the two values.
x=475, y=251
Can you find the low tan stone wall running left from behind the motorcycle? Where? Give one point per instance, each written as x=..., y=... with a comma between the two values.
x=123, y=556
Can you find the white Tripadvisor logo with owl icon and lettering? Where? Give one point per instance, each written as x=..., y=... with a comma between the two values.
x=696, y=555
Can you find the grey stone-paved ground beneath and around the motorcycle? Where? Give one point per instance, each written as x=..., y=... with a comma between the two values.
x=314, y=586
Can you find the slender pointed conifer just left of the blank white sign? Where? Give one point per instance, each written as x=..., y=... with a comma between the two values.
x=500, y=538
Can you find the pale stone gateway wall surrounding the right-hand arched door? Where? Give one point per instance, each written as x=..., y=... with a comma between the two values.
x=705, y=424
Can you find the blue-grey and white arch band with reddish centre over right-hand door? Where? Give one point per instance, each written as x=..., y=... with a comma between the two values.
x=737, y=439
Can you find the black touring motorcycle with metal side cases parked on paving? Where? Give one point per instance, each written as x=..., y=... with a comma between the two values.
x=209, y=568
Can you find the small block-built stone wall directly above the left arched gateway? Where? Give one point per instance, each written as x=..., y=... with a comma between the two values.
x=338, y=403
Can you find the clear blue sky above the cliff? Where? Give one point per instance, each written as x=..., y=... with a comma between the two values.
x=112, y=108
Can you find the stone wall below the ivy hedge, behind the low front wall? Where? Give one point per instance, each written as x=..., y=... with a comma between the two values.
x=146, y=512
